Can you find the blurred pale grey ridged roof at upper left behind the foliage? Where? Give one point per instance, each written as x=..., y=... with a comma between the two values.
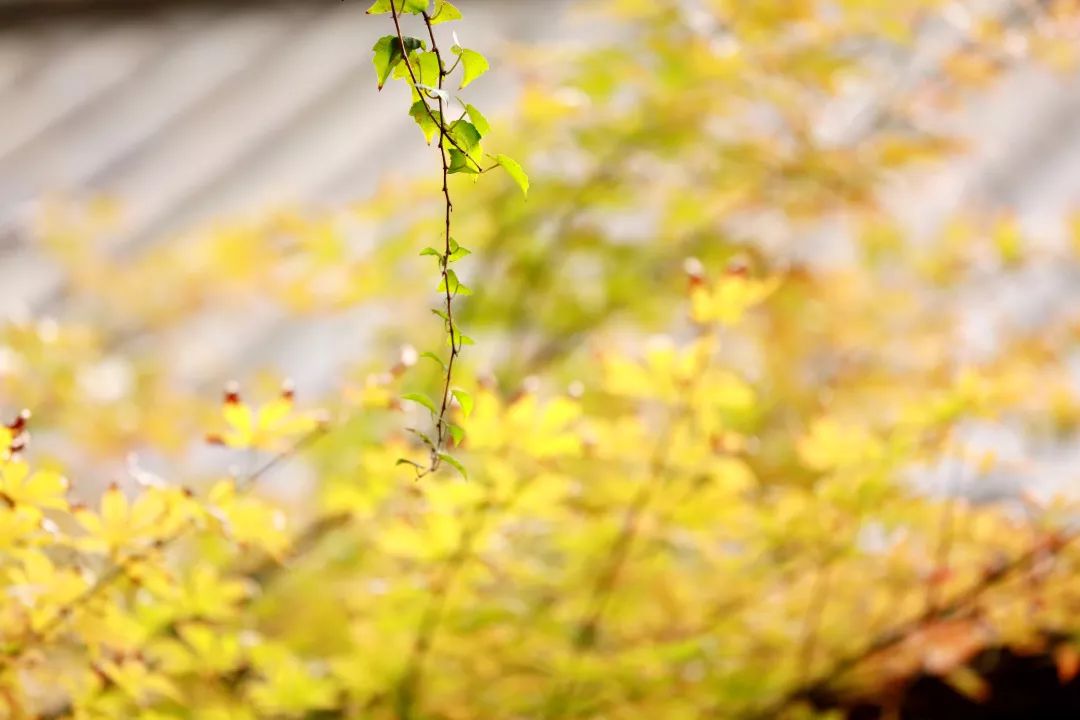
x=190, y=112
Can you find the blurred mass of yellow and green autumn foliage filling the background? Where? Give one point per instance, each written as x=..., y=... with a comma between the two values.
x=790, y=478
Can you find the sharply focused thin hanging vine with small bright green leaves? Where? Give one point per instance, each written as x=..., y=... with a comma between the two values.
x=426, y=72
